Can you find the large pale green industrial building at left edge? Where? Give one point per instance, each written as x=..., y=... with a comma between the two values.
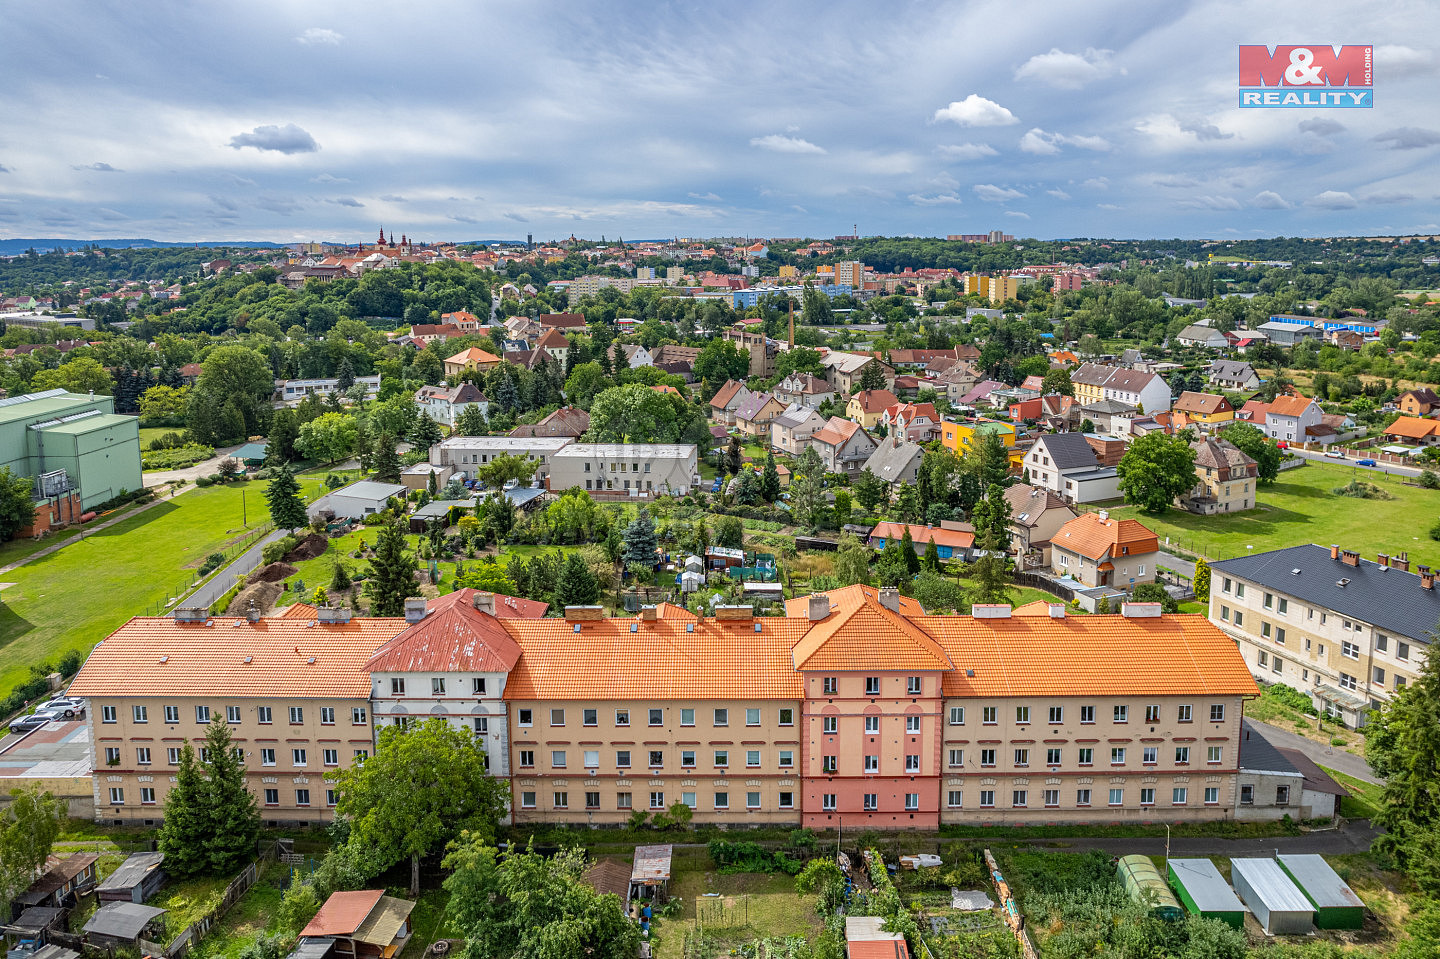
x=71, y=446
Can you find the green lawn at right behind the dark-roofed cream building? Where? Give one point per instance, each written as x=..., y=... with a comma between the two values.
x=1300, y=508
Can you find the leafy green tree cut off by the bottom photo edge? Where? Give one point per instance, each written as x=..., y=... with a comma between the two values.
x=535, y=906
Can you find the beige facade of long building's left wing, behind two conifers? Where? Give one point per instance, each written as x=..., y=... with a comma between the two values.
x=290, y=745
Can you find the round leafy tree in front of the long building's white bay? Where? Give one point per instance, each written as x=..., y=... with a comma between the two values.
x=426, y=785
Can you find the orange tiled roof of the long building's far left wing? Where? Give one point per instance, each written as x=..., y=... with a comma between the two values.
x=287, y=657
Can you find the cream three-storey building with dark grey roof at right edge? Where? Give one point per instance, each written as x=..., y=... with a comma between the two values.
x=1346, y=631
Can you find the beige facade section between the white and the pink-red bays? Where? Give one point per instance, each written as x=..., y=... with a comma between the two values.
x=598, y=762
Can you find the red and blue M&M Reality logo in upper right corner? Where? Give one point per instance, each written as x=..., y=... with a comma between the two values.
x=1307, y=77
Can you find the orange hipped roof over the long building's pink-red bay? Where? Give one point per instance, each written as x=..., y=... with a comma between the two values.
x=860, y=634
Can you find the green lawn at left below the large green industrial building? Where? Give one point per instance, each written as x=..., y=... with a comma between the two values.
x=78, y=595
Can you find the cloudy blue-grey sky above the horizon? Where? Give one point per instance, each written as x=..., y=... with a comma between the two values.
x=451, y=122
